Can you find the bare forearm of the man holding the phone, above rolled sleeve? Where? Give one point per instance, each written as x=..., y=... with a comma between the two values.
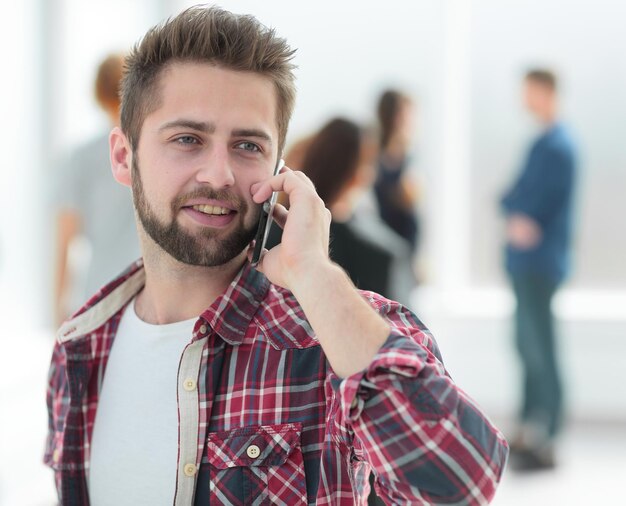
x=349, y=330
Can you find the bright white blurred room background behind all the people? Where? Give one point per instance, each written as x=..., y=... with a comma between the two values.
x=462, y=62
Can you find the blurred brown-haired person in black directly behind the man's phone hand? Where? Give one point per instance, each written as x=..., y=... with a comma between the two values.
x=340, y=160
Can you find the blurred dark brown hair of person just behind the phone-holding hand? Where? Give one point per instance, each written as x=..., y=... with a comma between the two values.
x=332, y=158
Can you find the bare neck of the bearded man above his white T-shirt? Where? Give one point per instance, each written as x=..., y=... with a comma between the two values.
x=175, y=291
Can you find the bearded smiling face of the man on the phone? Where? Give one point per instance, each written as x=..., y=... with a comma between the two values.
x=213, y=135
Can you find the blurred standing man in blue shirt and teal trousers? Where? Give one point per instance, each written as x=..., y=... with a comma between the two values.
x=538, y=209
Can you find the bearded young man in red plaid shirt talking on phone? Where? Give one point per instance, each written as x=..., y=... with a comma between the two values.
x=194, y=378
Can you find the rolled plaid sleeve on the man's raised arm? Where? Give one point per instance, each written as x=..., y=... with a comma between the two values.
x=425, y=439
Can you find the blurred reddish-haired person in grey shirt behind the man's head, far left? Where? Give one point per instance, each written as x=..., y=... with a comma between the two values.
x=91, y=205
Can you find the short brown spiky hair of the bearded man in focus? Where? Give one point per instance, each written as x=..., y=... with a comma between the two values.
x=211, y=35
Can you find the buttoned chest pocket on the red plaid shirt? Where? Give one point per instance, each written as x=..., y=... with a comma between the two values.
x=260, y=465
